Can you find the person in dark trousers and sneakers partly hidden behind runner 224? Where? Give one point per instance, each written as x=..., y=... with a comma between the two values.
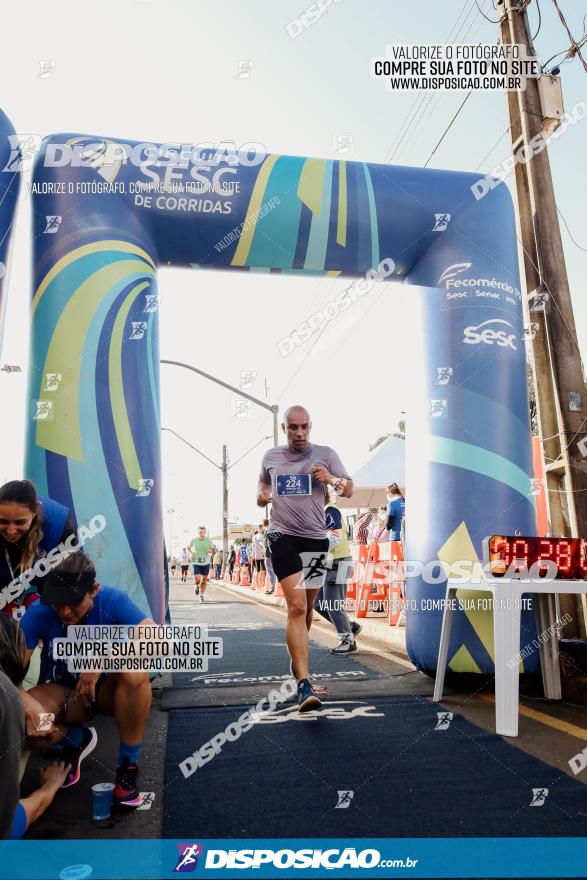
x=331, y=600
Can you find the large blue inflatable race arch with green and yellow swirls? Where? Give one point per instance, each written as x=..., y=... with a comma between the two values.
x=101, y=227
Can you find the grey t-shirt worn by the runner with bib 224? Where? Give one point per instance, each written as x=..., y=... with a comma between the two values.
x=293, y=514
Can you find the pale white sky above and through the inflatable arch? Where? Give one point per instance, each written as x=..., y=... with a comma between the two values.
x=167, y=70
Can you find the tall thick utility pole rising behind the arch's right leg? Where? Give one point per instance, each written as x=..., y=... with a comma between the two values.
x=560, y=392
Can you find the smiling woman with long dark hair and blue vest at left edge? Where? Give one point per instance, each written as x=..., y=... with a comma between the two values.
x=30, y=526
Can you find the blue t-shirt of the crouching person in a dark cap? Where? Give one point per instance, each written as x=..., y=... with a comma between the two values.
x=112, y=607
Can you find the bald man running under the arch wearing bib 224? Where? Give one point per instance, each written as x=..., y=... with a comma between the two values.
x=294, y=478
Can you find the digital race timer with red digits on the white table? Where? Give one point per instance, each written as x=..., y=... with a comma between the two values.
x=569, y=555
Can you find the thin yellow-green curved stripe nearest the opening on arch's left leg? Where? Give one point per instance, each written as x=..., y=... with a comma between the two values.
x=122, y=427
